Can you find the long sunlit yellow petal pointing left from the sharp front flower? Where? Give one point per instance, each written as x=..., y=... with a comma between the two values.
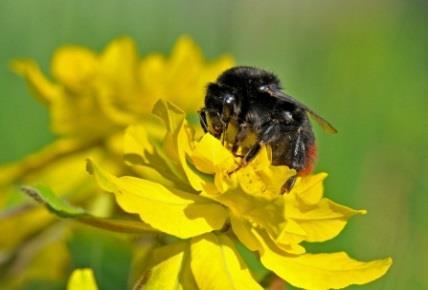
x=174, y=212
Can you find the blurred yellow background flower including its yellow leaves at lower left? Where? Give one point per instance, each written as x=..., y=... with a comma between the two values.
x=92, y=97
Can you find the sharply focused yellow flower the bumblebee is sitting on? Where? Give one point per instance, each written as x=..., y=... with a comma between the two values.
x=193, y=192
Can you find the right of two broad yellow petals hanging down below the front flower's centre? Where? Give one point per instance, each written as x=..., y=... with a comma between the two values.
x=226, y=268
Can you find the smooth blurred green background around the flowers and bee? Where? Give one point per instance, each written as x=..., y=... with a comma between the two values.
x=362, y=64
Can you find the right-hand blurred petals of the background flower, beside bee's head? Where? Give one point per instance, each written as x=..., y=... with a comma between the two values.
x=182, y=77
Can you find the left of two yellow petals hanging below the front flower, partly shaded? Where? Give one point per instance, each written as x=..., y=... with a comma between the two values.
x=170, y=268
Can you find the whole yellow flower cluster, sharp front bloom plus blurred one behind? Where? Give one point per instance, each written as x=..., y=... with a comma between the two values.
x=180, y=184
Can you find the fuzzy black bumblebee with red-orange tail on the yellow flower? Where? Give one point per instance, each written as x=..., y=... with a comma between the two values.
x=252, y=102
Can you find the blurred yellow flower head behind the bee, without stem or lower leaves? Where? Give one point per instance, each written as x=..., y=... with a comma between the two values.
x=93, y=95
